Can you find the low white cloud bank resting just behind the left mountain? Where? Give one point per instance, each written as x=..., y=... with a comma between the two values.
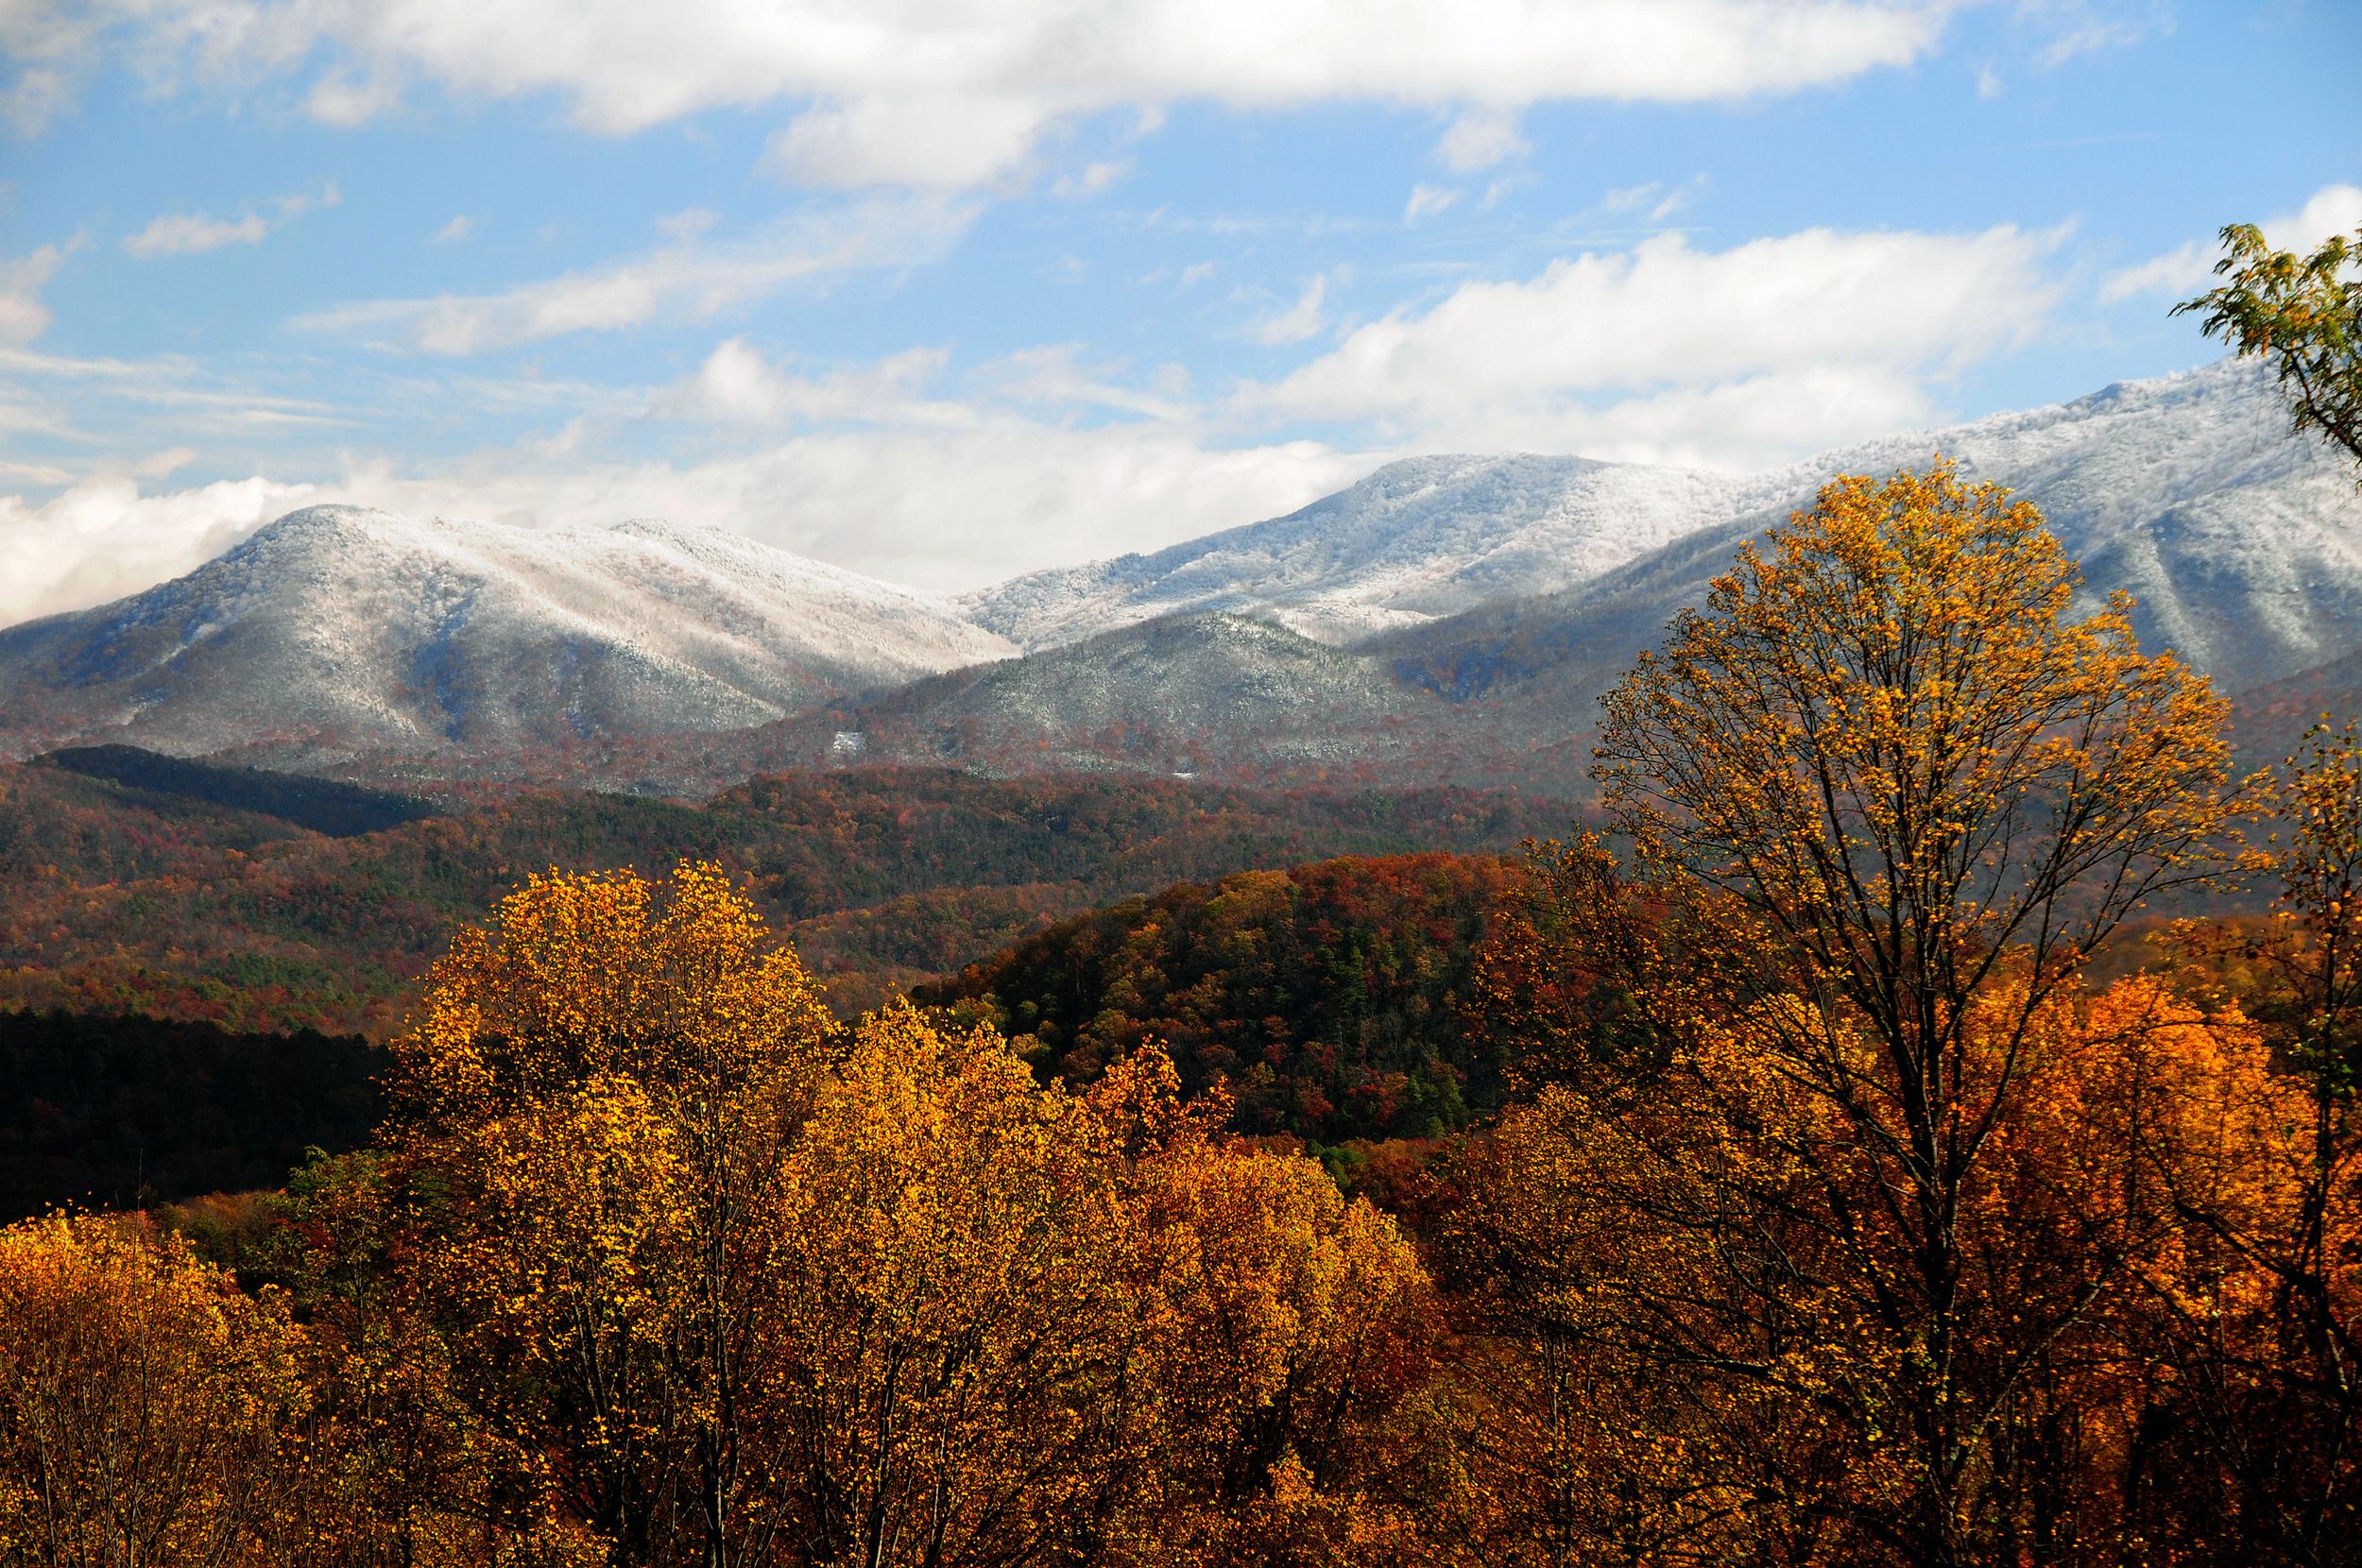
x=873, y=466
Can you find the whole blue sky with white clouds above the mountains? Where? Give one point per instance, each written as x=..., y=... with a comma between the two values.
x=951, y=289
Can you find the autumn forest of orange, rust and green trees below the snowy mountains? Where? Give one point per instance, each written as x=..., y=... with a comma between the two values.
x=1907, y=1118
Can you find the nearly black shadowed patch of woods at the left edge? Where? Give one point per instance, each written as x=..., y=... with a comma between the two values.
x=117, y=1113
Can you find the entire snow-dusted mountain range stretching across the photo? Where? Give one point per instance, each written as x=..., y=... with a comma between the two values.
x=1447, y=618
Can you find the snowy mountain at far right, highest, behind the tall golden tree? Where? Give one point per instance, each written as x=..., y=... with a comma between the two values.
x=2240, y=542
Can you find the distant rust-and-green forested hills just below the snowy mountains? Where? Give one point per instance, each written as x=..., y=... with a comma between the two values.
x=126, y=899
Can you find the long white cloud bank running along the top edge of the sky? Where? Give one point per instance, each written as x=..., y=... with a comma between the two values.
x=958, y=93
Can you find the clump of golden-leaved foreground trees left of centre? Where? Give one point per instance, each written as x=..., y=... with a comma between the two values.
x=717, y=1281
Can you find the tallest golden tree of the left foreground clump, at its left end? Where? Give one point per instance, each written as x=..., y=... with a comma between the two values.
x=594, y=1125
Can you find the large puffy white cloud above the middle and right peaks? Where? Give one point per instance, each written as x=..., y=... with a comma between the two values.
x=1803, y=341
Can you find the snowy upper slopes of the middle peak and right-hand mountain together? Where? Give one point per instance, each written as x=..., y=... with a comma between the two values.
x=2169, y=488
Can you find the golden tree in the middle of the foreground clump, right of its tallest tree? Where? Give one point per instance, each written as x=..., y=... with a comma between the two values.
x=965, y=1317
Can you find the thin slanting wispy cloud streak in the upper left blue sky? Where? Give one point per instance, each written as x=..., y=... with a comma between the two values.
x=686, y=280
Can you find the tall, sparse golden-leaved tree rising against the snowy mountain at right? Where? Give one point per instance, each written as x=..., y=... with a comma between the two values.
x=1886, y=795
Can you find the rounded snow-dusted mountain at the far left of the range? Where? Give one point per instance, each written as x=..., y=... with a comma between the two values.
x=355, y=629
